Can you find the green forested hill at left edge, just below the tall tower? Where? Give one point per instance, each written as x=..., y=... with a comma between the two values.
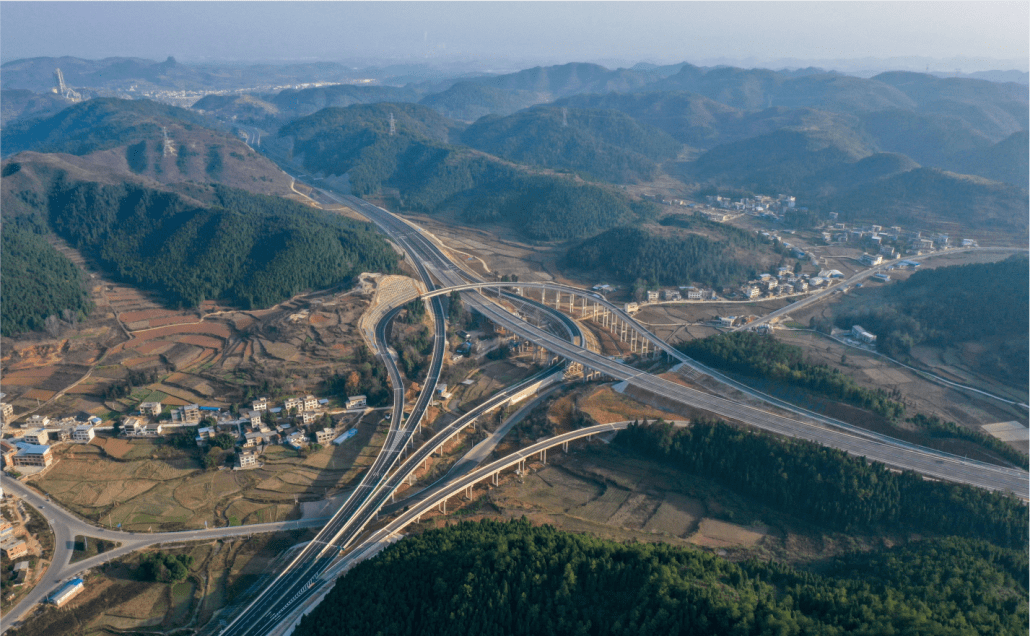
x=95, y=125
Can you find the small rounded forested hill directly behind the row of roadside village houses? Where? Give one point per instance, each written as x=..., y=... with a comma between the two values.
x=711, y=254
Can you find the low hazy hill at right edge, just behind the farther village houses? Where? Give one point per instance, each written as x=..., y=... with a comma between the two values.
x=932, y=198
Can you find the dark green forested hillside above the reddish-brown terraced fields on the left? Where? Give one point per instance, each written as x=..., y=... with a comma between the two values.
x=248, y=250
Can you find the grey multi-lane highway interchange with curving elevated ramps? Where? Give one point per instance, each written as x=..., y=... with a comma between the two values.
x=316, y=566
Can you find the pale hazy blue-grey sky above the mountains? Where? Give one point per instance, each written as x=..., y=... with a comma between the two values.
x=966, y=35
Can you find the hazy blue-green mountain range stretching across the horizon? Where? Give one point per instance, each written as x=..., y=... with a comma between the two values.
x=823, y=137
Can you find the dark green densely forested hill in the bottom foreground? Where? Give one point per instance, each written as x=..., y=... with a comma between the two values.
x=516, y=580
